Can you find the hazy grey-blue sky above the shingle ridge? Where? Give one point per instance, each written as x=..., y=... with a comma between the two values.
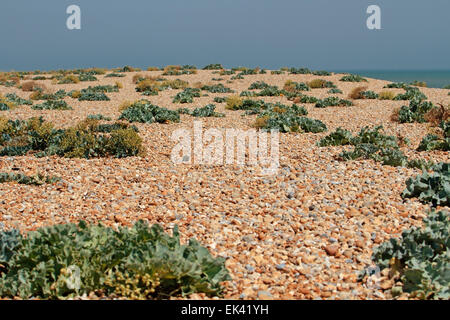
x=320, y=34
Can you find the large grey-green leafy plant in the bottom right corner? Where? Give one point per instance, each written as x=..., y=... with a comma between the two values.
x=419, y=259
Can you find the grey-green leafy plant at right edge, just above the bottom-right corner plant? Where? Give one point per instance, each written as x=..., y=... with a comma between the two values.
x=431, y=187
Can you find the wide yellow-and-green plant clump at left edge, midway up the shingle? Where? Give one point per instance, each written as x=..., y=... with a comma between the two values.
x=19, y=137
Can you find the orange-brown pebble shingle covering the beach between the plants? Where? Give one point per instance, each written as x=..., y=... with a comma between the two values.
x=304, y=233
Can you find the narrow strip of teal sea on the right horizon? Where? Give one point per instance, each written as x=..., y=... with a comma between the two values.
x=434, y=79
